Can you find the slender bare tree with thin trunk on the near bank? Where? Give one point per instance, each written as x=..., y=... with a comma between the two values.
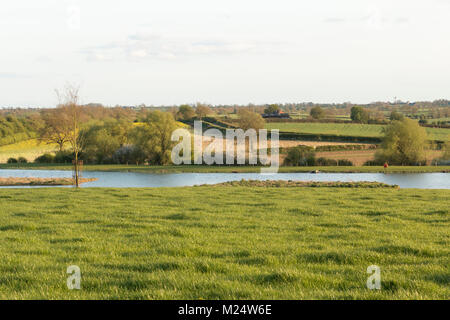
x=72, y=117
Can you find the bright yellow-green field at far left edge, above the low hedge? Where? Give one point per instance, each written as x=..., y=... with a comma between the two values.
x=29, y=149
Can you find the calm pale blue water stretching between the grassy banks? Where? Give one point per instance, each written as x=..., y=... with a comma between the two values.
x=129, y=179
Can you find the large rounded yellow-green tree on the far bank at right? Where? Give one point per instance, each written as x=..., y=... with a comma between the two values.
x=404, y=143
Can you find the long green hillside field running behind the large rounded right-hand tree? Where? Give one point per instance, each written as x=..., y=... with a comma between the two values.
x=348, y=129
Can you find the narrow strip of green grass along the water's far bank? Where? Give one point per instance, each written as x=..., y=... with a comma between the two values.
x=224, y=169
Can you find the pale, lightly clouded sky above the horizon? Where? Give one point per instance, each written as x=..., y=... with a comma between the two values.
x=224, y=52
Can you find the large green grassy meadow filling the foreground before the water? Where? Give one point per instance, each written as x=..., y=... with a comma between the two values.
x=224, y=243
